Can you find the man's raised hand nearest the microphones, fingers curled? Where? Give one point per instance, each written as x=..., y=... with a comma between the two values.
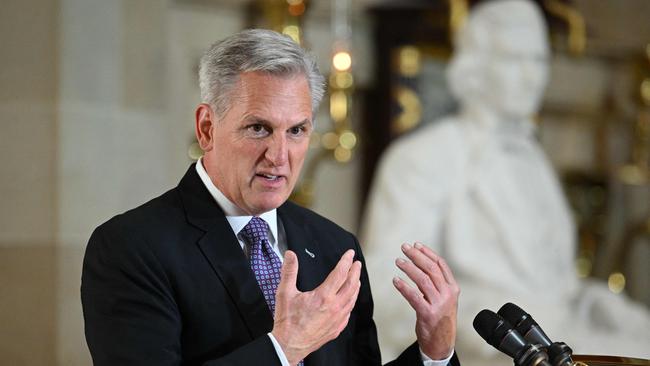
x=435, y=300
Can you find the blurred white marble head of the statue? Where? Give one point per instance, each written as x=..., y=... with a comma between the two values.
x=501, y=59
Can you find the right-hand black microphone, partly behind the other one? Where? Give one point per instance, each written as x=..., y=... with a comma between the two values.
x=559, y=353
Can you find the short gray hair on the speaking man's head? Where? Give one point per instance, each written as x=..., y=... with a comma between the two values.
x=254, y=50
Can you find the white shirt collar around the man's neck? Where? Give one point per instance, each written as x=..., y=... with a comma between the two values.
x=236, y=217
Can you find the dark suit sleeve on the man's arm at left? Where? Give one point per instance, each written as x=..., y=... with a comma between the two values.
x=131, y=317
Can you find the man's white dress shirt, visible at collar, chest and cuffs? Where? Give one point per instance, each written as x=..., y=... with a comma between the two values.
x=237, y=219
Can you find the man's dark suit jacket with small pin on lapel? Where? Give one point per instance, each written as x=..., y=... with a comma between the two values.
x=168, y=284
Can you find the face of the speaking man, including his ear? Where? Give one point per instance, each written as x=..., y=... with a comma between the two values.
x=255, y=152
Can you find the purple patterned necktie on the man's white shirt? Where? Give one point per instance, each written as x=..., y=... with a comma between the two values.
x=265, y=263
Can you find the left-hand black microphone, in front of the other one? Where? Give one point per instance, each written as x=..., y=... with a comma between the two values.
x=500, y=334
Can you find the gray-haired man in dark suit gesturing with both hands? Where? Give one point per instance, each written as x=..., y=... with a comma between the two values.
x=193, y=276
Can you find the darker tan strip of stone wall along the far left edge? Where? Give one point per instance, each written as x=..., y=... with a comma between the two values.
x=28, y=96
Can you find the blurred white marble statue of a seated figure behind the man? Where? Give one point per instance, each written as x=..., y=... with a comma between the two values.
x=478, y=189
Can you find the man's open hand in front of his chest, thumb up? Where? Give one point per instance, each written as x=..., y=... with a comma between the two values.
x=304, y=321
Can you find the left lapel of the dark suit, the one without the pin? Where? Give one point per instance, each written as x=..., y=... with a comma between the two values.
x=221, y=249
